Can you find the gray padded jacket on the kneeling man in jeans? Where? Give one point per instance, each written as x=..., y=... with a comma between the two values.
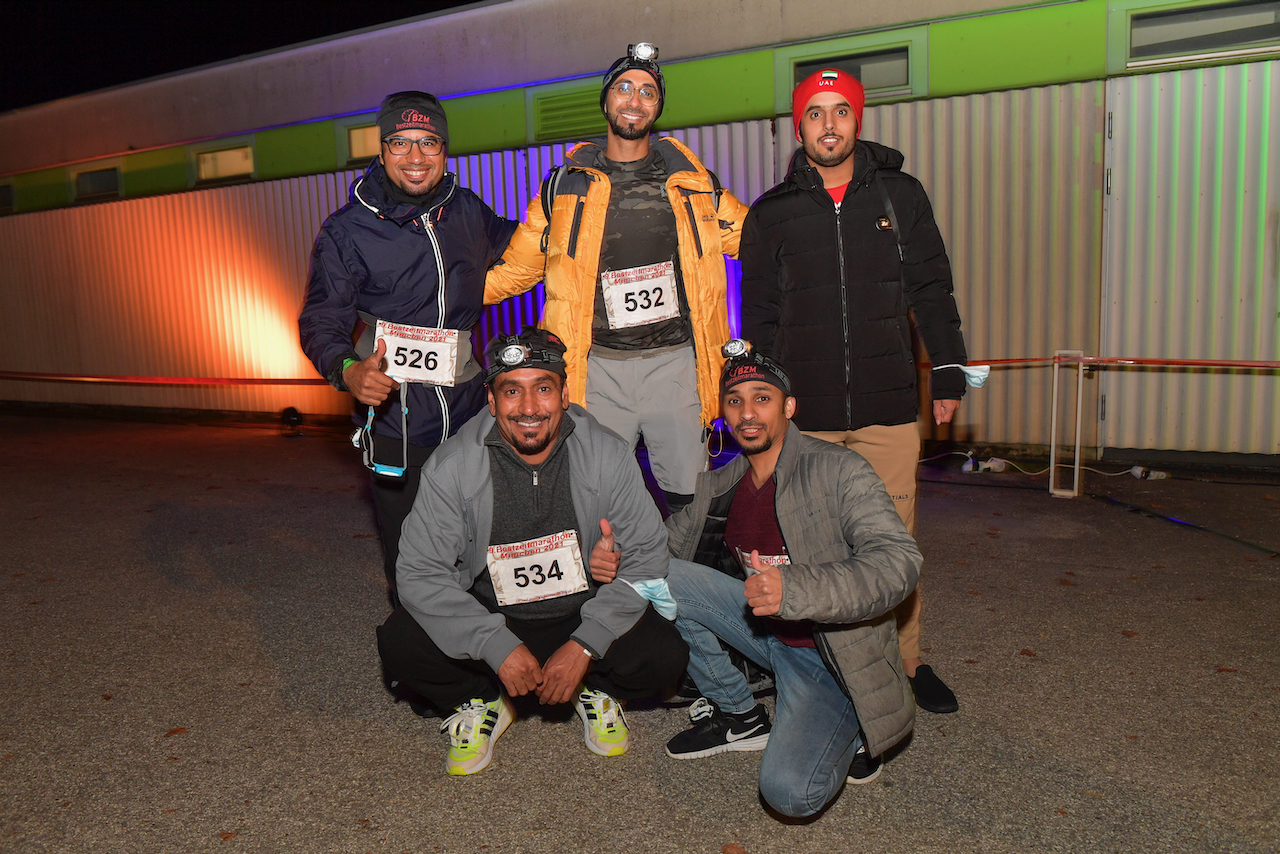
x=852, y=563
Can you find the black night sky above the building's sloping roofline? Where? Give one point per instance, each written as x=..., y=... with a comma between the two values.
x=51, y=49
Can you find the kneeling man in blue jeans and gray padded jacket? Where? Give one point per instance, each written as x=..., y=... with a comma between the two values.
x=810, y=561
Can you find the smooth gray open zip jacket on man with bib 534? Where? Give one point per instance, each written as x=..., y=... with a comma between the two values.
x=446, y=537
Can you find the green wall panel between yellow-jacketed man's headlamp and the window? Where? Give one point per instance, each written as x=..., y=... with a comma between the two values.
x=719, y=90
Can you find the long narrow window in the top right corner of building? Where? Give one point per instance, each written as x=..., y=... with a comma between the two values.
x=1205, y=33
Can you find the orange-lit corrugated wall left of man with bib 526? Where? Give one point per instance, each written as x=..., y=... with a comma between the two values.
x=204, y=285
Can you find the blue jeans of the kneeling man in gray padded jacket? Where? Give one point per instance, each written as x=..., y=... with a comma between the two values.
x=816, y=730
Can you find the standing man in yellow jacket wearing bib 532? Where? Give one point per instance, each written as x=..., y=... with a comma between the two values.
x=628, y=236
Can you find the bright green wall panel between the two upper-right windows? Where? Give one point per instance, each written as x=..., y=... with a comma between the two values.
x=1020, y=49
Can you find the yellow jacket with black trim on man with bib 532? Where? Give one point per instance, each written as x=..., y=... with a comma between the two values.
x=570, y=259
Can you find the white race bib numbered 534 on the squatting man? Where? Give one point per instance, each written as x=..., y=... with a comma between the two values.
x=547, y=568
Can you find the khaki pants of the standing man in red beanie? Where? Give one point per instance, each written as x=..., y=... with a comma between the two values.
x=894, y=454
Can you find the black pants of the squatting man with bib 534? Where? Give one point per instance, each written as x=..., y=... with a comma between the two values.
x=639, y=664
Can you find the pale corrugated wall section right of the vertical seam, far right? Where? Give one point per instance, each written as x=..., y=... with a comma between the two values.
x=1194, y=226
